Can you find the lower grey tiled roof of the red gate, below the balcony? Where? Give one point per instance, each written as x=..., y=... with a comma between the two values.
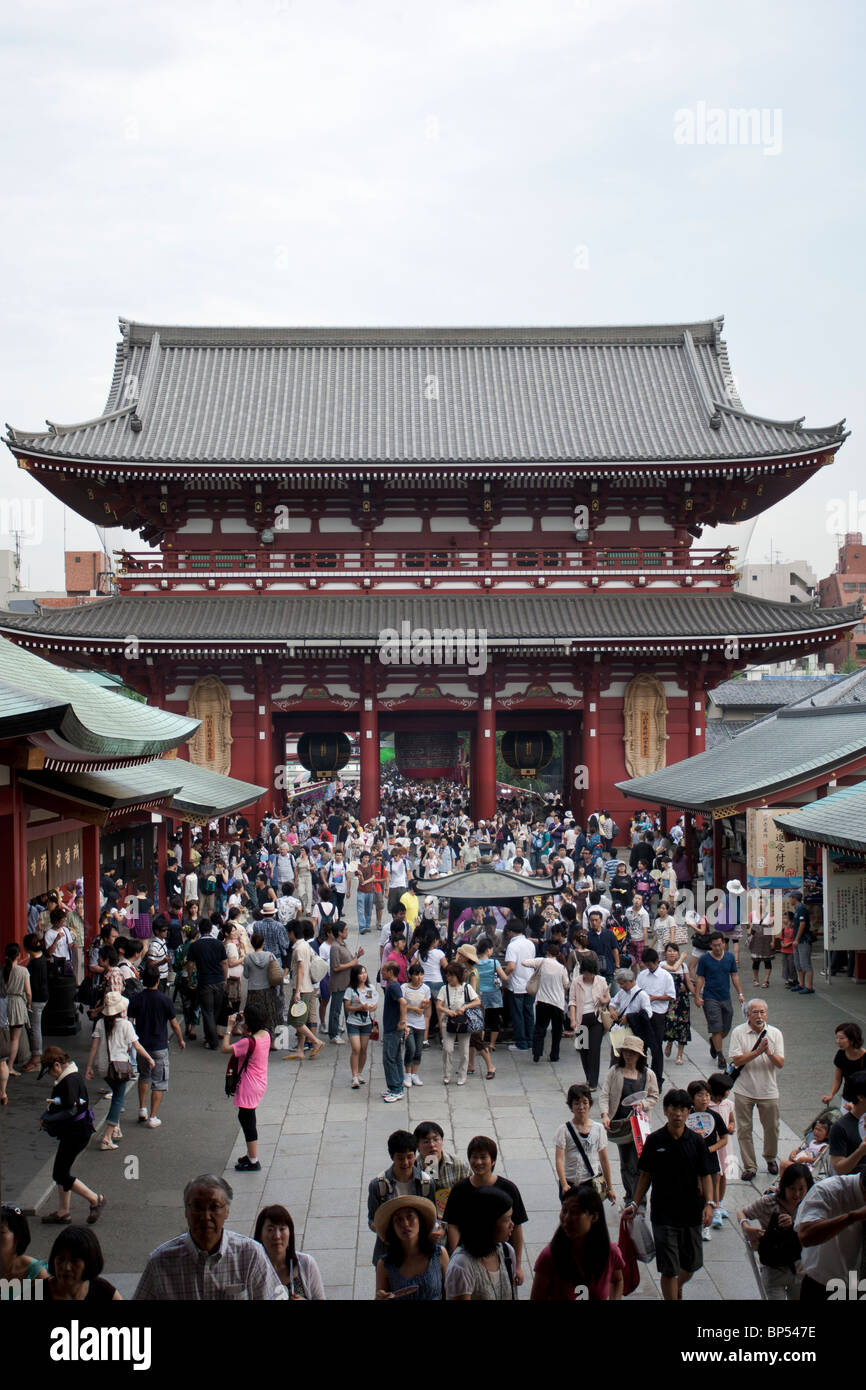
x=294, y=621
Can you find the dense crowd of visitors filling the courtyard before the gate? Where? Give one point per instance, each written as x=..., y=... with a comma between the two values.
x=247, y=940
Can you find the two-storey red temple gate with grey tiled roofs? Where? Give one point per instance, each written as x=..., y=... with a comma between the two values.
x=432, y=533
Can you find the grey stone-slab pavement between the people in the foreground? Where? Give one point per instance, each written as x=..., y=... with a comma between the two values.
x=322, y=1142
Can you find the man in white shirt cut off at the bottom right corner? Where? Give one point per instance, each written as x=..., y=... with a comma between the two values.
x=832, y=1225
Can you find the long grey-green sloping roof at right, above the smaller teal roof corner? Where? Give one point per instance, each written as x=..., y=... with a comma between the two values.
x=767, y=758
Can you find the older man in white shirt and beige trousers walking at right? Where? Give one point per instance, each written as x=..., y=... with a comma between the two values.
x=761, y=1052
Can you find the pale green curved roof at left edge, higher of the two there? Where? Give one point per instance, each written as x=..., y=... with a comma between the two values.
x=37, y=696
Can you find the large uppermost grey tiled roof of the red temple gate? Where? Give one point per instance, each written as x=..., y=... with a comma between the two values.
x=425, y=395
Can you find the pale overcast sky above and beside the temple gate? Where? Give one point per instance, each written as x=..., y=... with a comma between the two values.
x=471, y=162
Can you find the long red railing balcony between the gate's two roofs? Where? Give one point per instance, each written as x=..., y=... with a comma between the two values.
x=266, y=568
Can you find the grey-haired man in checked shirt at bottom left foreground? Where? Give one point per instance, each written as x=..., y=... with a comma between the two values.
x=209, y=1263
